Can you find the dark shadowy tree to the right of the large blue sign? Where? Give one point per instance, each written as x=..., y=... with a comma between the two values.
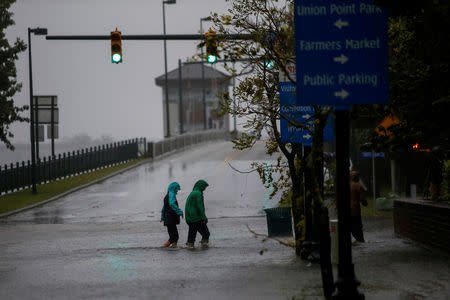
x=419, y=68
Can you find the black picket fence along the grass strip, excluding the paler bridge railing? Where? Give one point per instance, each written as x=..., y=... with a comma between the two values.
x=68, y=164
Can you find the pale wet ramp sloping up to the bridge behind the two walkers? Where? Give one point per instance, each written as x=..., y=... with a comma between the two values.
x=137, y=195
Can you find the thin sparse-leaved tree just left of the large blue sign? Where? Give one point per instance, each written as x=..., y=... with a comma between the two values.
x=269, y=49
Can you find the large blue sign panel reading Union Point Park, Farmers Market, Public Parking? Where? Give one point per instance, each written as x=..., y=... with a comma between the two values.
x=341, y=52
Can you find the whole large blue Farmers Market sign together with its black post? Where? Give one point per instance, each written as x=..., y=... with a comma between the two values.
x=341, y=59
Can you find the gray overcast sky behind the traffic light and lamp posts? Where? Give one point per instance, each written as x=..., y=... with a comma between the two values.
x=95, y=96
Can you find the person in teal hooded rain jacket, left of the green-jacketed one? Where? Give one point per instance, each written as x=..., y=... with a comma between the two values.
x=170, y=214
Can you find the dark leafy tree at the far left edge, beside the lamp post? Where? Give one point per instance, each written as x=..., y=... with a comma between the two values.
x=9, y=113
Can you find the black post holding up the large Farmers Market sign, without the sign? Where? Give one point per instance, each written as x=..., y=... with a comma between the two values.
x=346, y=283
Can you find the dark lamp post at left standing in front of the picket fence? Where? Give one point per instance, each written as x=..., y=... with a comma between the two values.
x=36, y=31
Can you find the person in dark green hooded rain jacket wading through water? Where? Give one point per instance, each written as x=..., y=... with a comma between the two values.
x=195, y=215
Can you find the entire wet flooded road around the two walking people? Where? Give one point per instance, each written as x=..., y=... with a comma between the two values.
x=103, y=243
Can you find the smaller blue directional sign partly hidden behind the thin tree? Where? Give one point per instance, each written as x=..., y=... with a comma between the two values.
x=293, y=115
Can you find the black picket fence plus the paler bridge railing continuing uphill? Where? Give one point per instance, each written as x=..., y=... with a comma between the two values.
x=18, y=176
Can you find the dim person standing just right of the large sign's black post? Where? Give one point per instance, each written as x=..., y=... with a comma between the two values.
x=356, y=199
